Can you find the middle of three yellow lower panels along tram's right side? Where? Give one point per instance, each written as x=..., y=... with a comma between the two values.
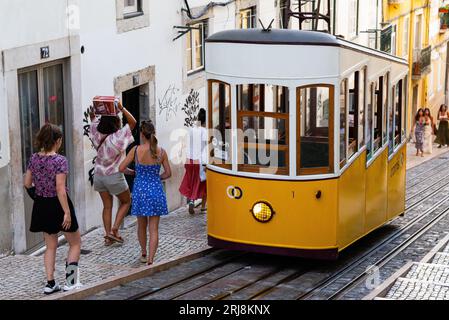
x=376, y=192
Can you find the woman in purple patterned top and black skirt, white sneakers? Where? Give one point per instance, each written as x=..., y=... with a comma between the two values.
x=53, y=211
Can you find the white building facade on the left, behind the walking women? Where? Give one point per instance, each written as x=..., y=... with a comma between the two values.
x=77, y=49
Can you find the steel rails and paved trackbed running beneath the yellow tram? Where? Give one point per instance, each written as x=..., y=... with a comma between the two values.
x=223, y=275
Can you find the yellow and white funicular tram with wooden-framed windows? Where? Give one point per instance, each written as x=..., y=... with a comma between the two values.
x=308, y=141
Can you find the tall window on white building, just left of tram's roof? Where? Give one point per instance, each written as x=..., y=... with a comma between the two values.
x=195, y=46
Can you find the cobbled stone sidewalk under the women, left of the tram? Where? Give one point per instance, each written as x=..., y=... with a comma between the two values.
x=23, y=277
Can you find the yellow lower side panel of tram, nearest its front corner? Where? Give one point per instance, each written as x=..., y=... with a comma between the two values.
x=351, y=204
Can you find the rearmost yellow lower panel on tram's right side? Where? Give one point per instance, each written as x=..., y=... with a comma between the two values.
x=396, y=183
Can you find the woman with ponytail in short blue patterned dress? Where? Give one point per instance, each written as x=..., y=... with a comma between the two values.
x=149, y=202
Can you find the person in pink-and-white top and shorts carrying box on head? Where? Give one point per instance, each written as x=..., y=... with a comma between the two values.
x=111, y=142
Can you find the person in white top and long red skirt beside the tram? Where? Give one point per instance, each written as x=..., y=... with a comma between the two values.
x=193, y=185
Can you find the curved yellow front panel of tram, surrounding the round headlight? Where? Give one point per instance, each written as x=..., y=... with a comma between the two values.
x=301, y=220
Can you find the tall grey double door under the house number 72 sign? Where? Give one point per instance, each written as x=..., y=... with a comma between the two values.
x=41, y=100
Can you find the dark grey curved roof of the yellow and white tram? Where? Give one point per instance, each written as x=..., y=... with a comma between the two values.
x=293, y=37
